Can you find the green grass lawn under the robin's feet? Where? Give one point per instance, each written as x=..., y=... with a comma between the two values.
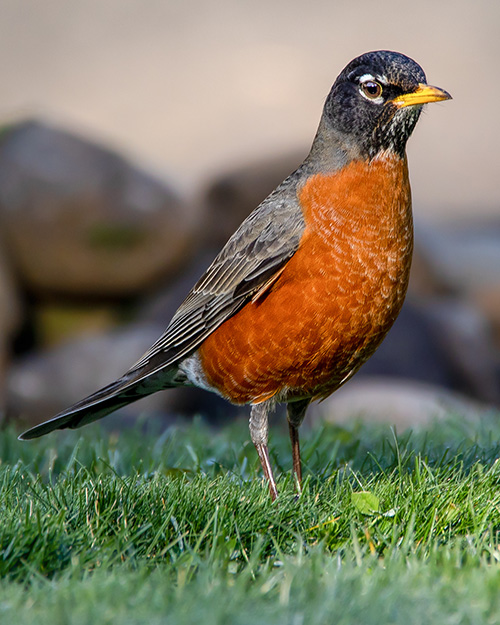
x=178, y=527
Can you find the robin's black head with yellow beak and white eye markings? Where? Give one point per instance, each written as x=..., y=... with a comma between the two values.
x=376, y=101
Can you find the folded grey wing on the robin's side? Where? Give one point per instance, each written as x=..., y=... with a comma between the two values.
x=260, y=247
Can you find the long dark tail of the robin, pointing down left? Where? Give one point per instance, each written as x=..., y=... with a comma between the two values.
x=96, y=406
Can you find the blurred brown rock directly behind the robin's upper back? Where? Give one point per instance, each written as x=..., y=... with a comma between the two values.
x=234, y=195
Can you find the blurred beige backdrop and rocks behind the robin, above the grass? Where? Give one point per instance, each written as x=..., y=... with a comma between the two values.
x=136, y=135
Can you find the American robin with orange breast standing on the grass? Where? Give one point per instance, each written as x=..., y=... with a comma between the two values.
x=308, y=286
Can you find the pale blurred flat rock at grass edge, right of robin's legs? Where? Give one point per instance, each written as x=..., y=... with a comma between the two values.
x=402, y=403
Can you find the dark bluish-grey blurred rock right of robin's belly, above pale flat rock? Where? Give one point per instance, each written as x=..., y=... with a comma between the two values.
x=440, y=341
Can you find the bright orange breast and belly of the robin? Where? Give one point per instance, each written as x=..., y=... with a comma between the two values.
x=336, y=298
